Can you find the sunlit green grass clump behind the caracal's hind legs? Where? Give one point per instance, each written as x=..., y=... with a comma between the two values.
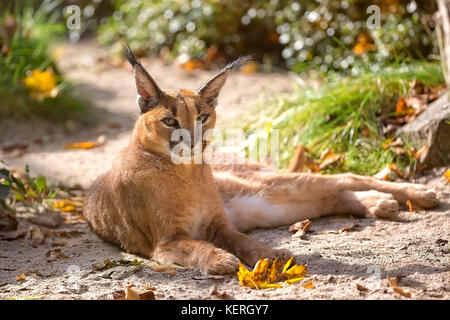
x=338, y=113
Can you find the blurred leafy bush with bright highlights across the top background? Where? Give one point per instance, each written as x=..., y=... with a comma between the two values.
x=301, y=33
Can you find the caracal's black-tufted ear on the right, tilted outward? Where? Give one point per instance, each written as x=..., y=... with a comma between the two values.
x=211, y=89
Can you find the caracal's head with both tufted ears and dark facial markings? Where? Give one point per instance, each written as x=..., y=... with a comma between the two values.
x=165, y=115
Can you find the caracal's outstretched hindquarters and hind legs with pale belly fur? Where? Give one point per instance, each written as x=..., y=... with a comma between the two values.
x=267, y=199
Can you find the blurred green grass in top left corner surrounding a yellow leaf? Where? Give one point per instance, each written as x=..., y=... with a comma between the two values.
x=25, y=36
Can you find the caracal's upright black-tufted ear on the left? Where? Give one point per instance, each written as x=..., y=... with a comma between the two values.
x=149, y=94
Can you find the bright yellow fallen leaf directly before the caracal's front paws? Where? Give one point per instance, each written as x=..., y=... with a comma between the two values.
x=267, y=274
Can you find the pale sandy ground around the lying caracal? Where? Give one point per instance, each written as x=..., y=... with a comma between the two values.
x=414, y=245
